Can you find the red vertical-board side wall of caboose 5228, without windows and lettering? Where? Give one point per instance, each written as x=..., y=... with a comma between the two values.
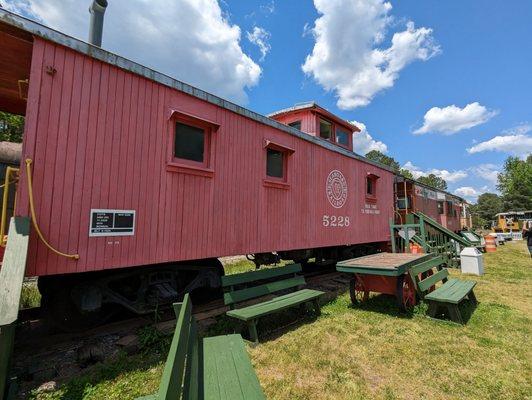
x=98, y=136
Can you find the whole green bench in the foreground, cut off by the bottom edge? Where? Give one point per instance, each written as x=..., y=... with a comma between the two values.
x=211, y=368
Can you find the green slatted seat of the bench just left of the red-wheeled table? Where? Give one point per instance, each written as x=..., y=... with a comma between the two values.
x=274, y=305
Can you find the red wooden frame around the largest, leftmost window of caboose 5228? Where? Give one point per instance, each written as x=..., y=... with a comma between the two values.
x=176, y=164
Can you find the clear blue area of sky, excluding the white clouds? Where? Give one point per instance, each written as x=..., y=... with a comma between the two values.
x=486, y=57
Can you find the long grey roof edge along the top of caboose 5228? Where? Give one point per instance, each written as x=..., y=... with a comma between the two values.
x=20, y=27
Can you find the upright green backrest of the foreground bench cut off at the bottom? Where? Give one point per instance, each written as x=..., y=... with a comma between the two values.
x=181, y=371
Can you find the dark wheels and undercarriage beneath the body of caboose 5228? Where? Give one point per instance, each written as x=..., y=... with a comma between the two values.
x=78, y=301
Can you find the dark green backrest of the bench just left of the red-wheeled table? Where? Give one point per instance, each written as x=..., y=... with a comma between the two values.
x=235, y=294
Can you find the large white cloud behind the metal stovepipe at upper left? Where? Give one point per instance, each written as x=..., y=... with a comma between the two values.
x=188, y=39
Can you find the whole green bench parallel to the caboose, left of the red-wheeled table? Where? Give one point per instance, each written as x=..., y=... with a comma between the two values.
x=245, y=286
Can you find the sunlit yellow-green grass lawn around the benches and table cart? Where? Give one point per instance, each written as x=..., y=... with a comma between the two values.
x=374, y=351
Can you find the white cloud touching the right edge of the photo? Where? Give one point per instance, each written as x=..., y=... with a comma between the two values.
x=514, y=141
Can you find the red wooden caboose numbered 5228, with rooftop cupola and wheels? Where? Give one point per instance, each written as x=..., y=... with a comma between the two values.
x=148, y=180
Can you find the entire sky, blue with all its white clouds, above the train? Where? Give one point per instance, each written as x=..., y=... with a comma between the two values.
x=470, y=59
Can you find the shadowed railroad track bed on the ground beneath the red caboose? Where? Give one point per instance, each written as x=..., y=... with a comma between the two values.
x=41, y=356
